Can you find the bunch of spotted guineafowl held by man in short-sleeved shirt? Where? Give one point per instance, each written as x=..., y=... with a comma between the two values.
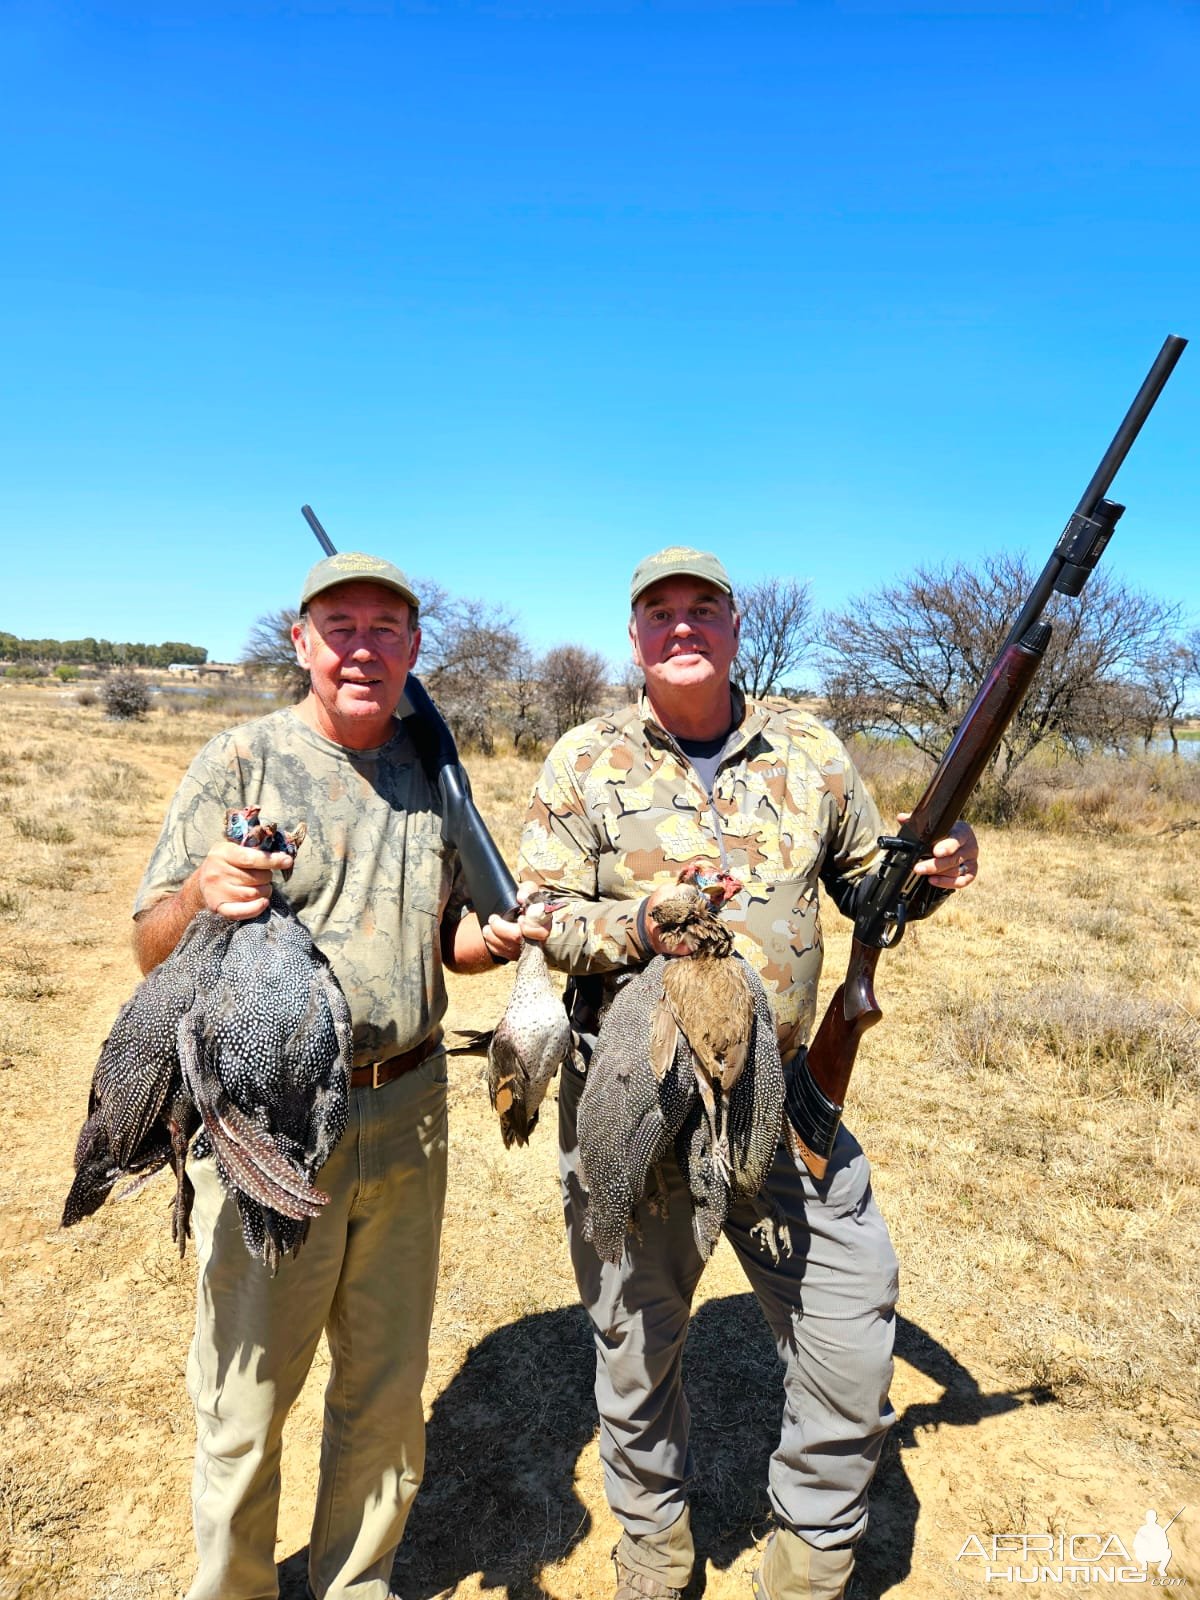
x=241, y=1042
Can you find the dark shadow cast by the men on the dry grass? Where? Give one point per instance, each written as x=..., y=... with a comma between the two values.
x=506, y=1436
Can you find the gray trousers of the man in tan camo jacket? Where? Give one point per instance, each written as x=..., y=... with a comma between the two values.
x=830, y=1308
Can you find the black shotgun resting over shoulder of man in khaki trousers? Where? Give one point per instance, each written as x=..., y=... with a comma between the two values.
x=490, y=882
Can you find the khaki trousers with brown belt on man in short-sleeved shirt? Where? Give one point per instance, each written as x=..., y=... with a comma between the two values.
x=366, y=1276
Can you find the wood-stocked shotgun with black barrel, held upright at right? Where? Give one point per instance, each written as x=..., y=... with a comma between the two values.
x=820, y=1078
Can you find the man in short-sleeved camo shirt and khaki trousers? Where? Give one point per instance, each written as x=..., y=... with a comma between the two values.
x=385, y=900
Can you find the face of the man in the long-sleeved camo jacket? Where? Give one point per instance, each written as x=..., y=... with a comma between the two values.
x=684, y=634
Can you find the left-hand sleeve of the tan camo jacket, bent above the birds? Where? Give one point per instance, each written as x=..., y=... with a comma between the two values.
x=561, y=850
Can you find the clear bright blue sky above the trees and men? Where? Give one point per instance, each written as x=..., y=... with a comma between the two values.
x=519, y=294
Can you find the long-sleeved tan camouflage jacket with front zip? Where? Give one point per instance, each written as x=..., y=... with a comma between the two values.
x=620, y=810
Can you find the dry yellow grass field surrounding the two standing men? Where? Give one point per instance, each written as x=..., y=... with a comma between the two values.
x=1030, y=1106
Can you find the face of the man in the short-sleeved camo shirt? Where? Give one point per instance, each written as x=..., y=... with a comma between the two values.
x=359, y=649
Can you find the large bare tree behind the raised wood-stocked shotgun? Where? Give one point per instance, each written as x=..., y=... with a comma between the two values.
x=910, y=658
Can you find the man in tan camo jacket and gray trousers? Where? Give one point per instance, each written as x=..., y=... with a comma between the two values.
x=695, y=774
